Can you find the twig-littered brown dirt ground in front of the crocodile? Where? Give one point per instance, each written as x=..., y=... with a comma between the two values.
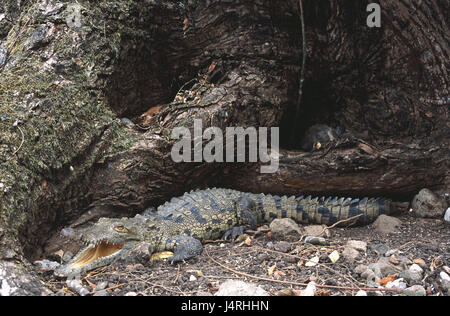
x=259, y=261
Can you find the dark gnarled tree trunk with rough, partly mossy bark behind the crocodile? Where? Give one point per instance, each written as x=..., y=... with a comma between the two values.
x=63, y=150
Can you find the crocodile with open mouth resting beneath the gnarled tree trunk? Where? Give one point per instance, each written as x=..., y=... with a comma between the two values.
x=181, y=224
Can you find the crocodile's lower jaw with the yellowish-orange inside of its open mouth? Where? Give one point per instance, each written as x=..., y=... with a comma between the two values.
x=94, y=255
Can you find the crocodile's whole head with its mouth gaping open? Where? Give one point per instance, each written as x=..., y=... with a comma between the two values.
x=105, y=241
